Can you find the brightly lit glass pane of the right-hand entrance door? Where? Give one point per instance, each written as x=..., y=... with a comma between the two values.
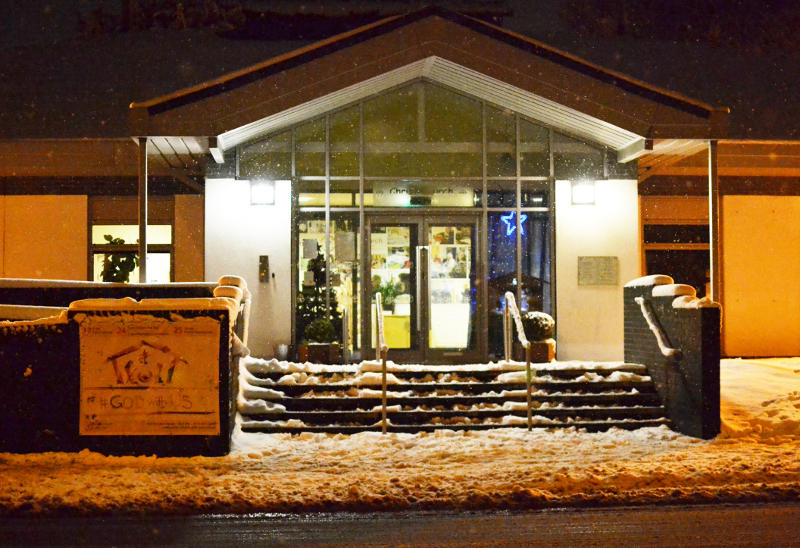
x=451, y=287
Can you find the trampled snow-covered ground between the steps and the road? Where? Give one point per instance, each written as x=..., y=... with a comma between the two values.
x=754, y=458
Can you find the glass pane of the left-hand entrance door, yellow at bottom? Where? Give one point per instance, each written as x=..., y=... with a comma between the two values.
x=391, y=249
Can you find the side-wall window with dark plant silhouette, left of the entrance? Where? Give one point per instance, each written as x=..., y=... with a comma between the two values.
x=114, y=239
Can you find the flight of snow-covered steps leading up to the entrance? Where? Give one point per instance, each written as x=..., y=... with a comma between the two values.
x=288, y=397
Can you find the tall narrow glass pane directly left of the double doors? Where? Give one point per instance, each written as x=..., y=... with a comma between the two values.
x=344, y=269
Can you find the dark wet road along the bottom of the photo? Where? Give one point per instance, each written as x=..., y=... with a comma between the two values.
x=774, y=524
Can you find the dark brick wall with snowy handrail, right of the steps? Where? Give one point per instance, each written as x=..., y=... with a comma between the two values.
x=687, y=383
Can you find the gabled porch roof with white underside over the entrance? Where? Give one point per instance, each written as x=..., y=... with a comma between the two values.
x=465, y=53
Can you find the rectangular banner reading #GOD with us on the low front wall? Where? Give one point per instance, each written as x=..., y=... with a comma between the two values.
x=147, y=375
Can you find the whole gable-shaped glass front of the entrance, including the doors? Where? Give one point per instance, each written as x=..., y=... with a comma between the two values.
x=428, y=151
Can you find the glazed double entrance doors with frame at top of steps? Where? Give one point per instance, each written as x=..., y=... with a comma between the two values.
x=425, y=267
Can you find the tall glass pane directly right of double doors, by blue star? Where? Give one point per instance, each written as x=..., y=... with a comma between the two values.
x=502, y=254
